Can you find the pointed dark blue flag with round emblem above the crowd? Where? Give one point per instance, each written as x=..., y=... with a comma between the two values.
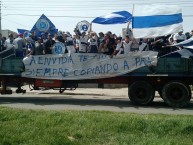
x=44, y=25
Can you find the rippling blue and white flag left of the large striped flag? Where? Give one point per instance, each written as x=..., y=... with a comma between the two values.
x=114, y=18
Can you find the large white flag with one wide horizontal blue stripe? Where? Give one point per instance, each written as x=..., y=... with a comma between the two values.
x=151, y=21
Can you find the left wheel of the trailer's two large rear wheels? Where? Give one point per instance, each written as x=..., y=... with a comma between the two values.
x=141, y=93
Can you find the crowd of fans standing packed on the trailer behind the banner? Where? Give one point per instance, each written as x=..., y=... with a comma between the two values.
x=92, y=42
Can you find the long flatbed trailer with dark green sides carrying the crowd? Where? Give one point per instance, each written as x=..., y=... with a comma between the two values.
x=172, y=77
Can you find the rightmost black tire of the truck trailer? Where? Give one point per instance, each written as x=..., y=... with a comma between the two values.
x=176, y=94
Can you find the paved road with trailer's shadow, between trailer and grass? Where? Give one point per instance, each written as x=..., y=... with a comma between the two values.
x=87, y=99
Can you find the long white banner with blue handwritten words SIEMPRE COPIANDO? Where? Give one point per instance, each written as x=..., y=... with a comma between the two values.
x=79, y=66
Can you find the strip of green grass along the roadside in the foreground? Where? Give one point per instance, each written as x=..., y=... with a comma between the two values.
x=29, y=127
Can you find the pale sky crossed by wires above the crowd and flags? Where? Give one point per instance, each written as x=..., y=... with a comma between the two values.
x=65, y=14
